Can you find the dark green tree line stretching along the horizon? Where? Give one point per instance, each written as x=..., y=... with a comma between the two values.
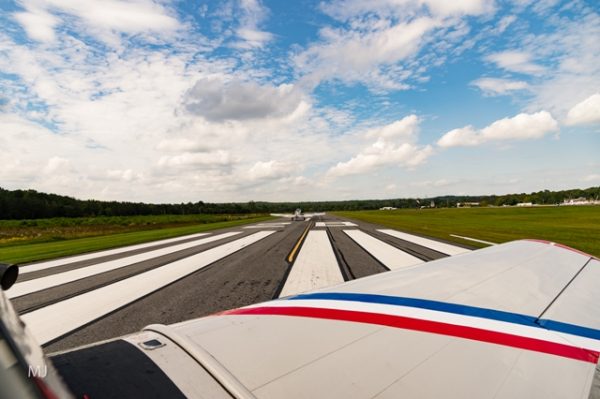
x=31, y=204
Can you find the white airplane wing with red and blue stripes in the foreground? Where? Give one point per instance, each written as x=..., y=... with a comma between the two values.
x=518, y=320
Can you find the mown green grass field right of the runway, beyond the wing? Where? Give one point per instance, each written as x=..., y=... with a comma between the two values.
x=575, y=226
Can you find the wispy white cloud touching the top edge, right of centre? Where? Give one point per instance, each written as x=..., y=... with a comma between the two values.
x=384, y=44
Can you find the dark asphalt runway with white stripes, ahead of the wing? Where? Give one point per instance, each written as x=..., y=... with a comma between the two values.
x=84, y=299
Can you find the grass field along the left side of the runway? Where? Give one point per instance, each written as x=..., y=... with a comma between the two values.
x=34, y=240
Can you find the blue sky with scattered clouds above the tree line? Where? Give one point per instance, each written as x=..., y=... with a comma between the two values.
x=179, y=101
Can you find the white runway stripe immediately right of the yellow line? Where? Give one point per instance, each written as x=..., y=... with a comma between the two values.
x=315, y=267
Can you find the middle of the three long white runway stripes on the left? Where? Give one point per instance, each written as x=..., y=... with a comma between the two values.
x=42, y=283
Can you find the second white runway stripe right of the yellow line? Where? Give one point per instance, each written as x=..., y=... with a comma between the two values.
x=390, y=256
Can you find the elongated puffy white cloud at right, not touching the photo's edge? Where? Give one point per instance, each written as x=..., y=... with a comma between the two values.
x=520, y=127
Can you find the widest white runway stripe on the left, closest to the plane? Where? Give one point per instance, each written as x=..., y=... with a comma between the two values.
x=58, y=319
